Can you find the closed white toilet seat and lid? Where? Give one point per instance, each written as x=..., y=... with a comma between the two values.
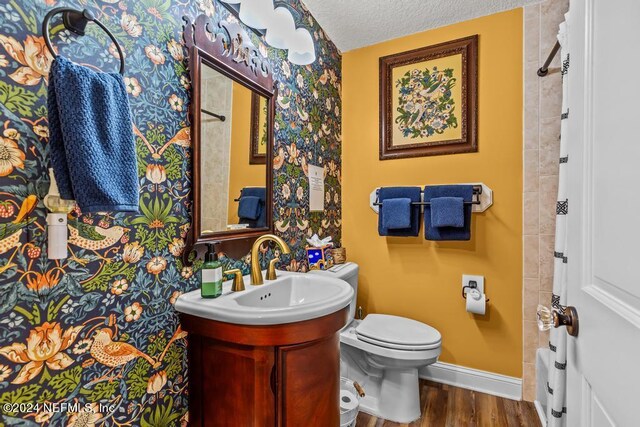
x=398, y=333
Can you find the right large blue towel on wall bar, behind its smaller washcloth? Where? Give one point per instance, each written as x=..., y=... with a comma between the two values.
x=431, y=232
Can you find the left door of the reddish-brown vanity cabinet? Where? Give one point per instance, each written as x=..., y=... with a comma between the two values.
x=235, y=384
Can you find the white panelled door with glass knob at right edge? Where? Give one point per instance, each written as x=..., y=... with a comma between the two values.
x=603, y=377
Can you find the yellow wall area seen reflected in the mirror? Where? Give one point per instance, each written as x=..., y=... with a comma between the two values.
x=241, y=174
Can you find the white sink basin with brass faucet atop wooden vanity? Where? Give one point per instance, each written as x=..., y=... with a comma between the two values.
x=292, y=297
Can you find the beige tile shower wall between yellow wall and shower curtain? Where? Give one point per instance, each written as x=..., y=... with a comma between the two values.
x=542, y=100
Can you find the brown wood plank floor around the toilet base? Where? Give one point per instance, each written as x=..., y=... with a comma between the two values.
x=448, y=406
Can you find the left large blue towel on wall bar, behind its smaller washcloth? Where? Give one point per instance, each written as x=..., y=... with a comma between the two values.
x=390, y=193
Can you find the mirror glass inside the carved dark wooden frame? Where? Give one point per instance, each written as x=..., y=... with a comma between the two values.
x=233, y=155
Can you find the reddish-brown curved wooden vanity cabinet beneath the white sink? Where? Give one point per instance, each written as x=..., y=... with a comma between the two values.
x=271, y=375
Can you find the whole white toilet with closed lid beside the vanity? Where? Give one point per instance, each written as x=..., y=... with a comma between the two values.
x=384, y=353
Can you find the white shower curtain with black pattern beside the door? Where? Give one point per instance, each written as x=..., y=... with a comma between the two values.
x=556, y=385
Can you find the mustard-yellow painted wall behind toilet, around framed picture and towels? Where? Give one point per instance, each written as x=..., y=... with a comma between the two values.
x=421, y=279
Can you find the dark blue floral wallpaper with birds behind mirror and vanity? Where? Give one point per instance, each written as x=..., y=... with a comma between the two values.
x=93, y=340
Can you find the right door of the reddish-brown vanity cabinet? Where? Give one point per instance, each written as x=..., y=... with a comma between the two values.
x=308, y=383
